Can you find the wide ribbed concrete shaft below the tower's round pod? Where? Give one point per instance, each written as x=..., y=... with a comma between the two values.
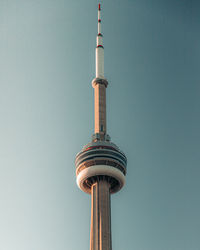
x=100, y=234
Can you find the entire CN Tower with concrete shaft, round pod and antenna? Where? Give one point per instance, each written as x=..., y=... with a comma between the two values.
x=100, y=165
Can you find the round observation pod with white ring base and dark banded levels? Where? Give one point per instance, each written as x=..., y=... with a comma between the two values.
x=100, y=160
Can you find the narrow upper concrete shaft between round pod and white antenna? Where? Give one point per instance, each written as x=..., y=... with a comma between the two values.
x=100, y=108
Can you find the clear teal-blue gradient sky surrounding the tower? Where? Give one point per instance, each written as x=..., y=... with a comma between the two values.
x=152, y=61
